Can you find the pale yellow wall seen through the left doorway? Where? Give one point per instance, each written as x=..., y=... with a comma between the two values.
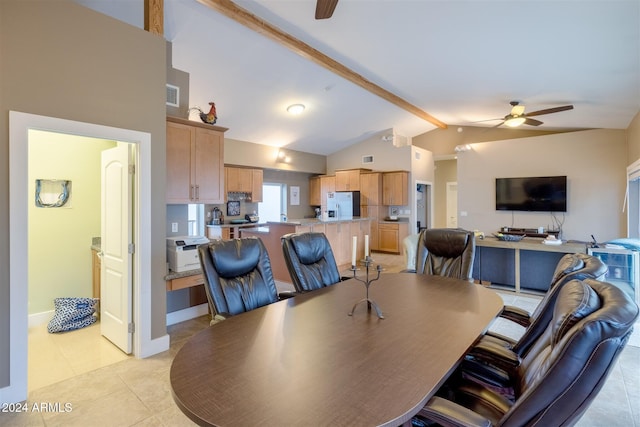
x=60, y=238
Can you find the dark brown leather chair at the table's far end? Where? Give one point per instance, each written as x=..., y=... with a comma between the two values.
x=446, y=252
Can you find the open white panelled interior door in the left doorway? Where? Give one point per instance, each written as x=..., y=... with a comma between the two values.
x=116, y=247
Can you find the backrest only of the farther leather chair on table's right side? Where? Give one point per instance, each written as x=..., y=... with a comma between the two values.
x=571, y=266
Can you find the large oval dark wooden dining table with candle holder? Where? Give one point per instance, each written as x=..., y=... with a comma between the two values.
x=305, y=361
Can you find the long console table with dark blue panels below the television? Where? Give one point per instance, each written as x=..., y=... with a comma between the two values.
x=525, y=265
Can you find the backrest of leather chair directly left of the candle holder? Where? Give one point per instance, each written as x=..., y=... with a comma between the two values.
x=310, y=261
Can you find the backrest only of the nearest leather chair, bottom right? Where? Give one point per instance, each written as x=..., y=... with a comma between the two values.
x=569, y=363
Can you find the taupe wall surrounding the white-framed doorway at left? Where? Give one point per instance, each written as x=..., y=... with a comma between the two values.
x=62, y=60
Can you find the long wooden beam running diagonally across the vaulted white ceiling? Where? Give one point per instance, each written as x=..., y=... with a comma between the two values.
x=249, y=20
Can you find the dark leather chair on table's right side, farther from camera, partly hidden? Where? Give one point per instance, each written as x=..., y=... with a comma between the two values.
x=500, y=350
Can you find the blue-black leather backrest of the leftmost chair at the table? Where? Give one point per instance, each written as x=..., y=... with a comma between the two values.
x=237, y=275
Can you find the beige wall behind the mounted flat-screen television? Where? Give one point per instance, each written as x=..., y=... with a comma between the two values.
x=595, y=165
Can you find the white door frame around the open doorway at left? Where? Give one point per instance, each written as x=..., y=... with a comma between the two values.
x=19, y=126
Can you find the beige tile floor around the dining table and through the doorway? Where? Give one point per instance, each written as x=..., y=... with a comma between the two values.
x=103, y=387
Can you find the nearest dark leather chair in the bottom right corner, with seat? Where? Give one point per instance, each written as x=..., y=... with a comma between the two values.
x=561, y=375
